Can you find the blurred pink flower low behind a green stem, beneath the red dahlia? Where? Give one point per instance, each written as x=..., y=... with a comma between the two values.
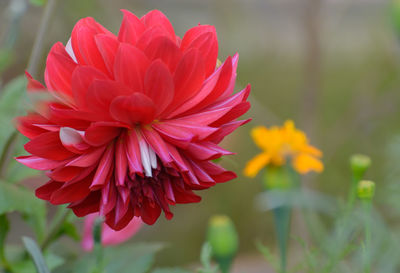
x=108, y=235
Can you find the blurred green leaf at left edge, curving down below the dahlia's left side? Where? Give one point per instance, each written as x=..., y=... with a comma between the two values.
x=17, y=198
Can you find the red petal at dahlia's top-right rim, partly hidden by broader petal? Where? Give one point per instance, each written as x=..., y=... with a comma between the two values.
x=207, y=44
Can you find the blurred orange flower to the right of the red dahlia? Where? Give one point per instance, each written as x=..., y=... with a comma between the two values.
x=280, y=144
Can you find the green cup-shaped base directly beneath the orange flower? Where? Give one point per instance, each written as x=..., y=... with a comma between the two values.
x=277, y=178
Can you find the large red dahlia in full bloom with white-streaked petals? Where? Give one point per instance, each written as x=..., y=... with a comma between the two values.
x=134, y=119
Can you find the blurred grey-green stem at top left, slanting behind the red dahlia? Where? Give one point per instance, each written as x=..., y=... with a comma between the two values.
x=40, y=36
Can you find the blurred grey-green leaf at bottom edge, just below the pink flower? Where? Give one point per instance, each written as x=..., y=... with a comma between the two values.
x=124, y=258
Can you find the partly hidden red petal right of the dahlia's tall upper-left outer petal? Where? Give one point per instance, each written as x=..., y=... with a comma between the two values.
x=108, y=47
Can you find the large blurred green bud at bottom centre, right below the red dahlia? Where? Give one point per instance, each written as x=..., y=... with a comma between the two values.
x=223, y=239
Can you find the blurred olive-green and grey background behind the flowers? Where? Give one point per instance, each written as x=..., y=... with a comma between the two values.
x=333, y=66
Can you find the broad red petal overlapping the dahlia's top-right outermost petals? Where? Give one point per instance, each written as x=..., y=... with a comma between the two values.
x=188, y=77
